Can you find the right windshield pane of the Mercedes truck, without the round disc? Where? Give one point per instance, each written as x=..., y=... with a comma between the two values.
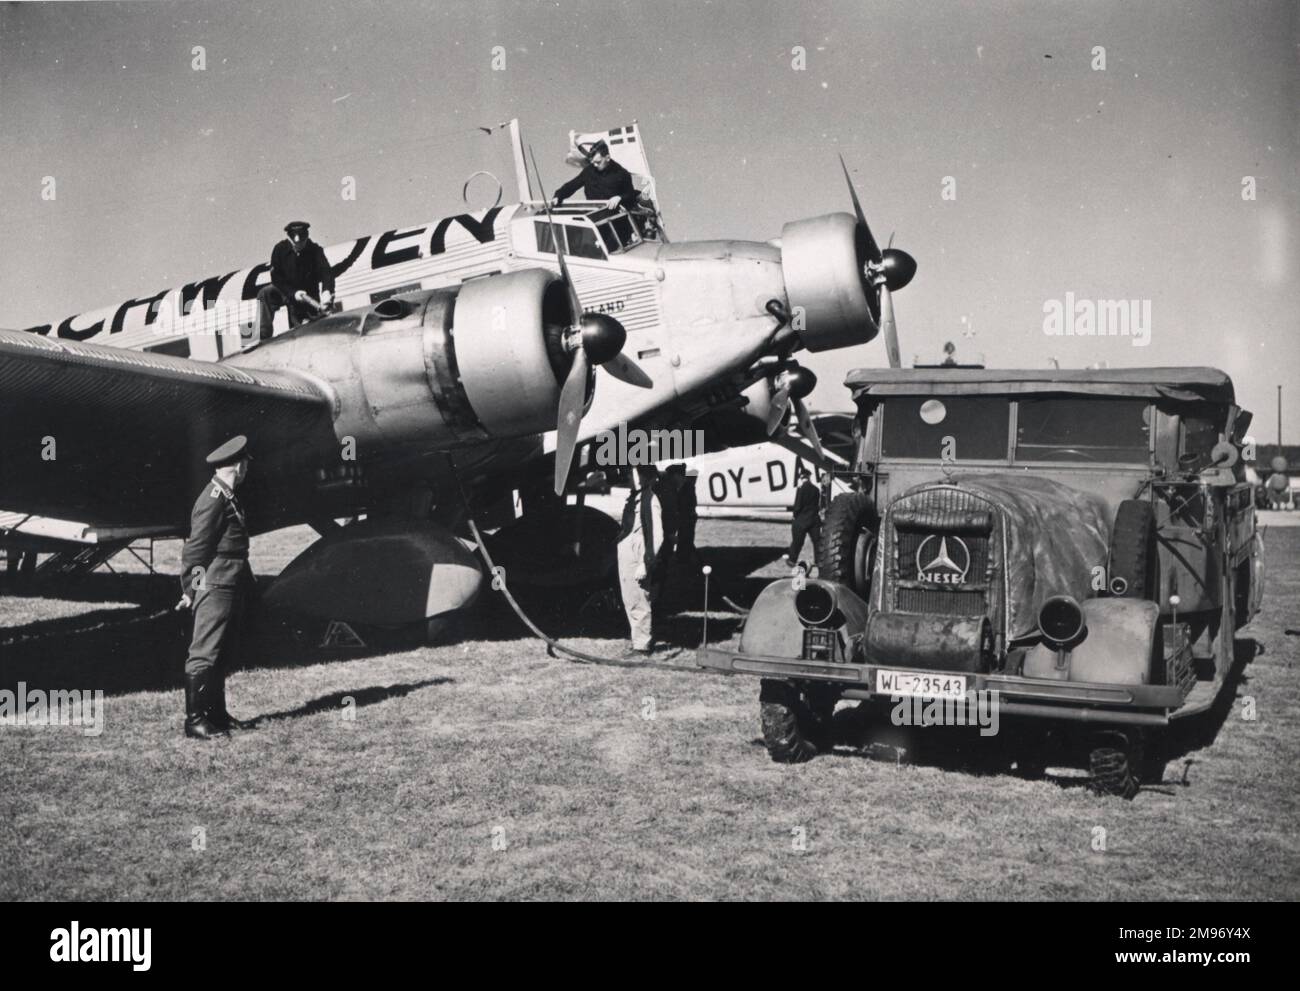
x=1082, y=431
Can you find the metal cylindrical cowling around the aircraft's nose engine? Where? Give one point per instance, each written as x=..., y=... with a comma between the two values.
x=822, y=262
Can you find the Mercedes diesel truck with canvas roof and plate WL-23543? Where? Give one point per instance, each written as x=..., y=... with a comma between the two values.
x=1082, y=543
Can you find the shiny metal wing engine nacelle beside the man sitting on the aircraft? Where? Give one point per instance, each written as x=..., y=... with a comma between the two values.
x=437, y=370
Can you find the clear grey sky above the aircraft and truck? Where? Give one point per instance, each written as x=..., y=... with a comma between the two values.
x=1123, y=183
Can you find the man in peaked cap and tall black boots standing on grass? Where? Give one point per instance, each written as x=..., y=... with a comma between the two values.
x=215, y=578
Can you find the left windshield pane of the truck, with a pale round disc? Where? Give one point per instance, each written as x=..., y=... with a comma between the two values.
x=961, y=427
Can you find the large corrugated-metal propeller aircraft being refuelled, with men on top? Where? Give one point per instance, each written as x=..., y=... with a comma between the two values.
x=467, y=352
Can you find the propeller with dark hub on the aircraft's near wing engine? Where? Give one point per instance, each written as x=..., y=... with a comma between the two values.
x=593, y=340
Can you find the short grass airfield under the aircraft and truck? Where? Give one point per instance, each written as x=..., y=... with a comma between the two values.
x=486, y=769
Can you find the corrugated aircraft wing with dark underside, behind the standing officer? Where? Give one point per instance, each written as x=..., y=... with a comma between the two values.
x=116, y=438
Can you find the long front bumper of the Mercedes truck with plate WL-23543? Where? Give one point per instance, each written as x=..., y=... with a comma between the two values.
x=1078, y=702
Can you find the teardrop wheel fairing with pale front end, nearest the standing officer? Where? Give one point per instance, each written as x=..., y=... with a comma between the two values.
x=385, y=573
